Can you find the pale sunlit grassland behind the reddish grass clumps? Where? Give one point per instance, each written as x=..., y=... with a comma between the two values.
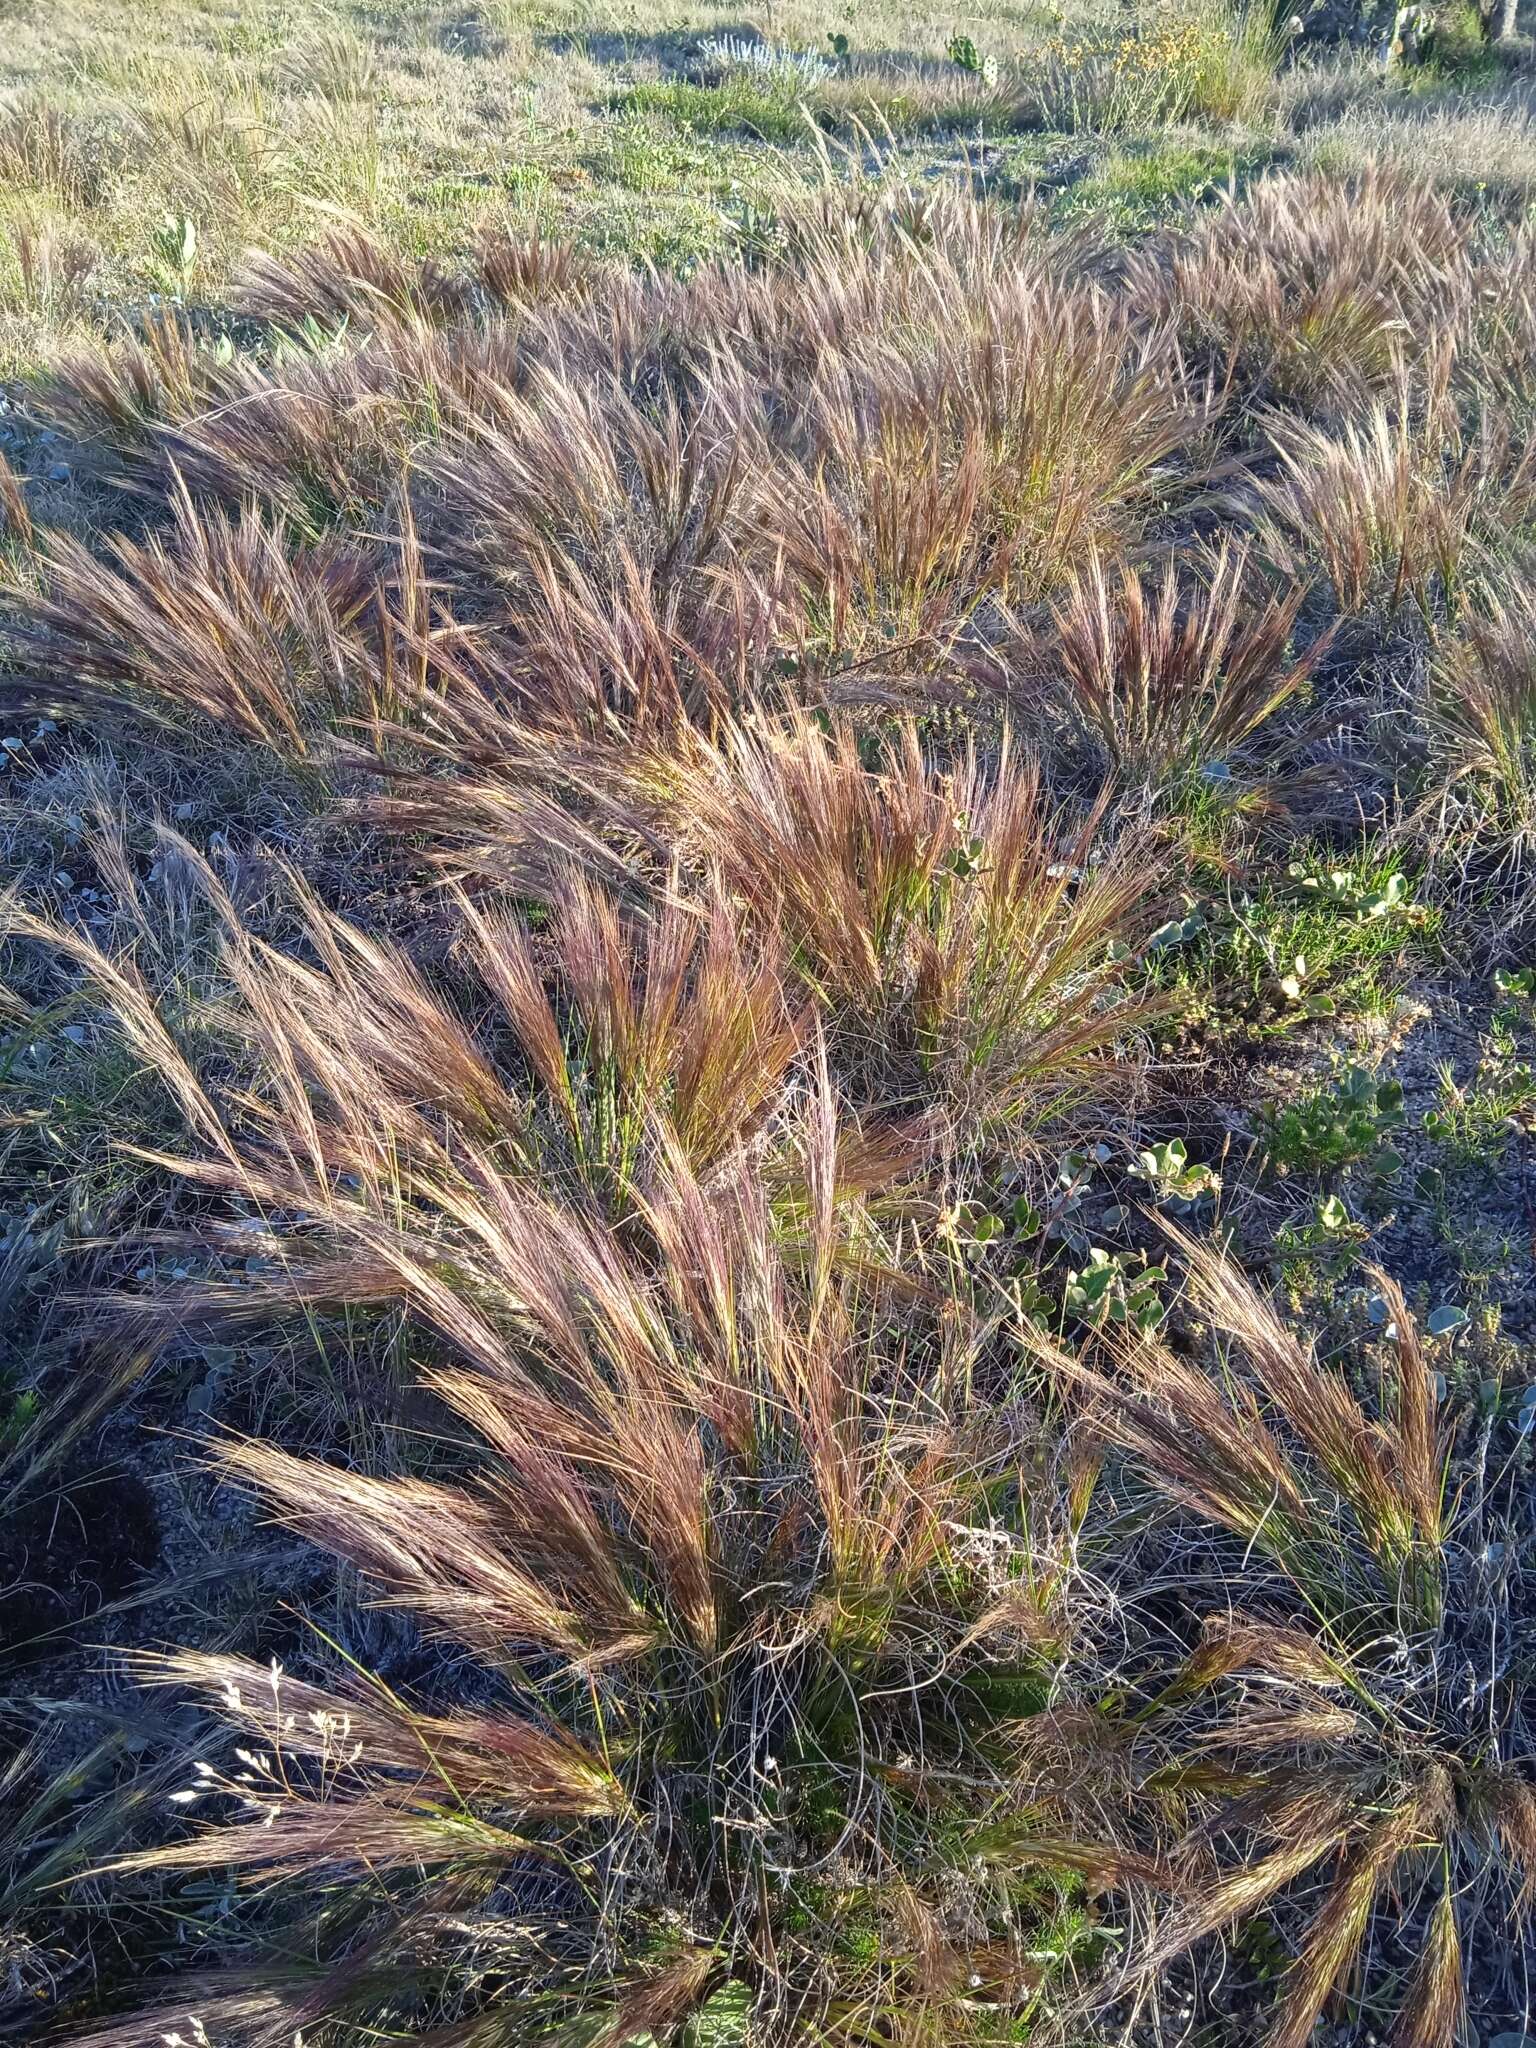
x=259, y=124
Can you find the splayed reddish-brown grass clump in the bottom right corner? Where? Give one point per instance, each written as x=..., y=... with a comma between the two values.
x=1340, y=1764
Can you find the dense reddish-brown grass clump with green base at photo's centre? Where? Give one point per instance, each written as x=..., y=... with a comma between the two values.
x=966, y=941
